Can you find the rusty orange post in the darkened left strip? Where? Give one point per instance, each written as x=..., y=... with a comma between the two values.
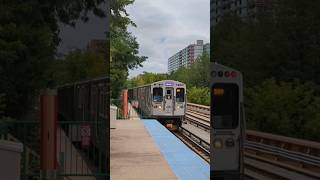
x=48, y=125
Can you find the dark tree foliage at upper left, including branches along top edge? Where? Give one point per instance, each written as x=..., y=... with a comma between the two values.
x=28, y=40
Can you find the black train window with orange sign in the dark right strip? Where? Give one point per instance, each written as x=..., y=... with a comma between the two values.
x=225, y=106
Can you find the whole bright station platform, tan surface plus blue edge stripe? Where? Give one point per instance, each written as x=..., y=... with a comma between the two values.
x=146, y=150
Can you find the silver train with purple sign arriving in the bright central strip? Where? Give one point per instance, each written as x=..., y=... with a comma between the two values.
x=163, y=100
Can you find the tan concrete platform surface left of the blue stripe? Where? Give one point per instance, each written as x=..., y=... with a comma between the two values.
x=134, y=154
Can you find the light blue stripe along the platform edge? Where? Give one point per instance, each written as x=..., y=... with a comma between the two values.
x=185, y=163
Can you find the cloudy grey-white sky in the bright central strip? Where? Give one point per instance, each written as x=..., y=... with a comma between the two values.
x=167, y=26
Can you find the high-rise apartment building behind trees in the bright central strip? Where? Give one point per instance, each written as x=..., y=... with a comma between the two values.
x=187, y=56
